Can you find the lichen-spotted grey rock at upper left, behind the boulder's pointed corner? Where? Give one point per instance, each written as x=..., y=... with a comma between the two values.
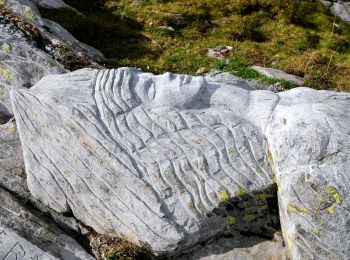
x=22, y=64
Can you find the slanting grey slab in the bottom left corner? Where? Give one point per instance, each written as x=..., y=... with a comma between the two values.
x=23, y=235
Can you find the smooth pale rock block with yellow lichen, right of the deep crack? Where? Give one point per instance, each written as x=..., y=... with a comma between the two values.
x=309, y=140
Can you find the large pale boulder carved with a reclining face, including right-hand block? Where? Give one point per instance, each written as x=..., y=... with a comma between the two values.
x=171, y=160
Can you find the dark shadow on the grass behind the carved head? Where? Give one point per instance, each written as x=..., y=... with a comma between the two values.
x=116, y=36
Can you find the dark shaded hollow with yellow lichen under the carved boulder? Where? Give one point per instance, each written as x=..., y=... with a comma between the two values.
x=253, y=218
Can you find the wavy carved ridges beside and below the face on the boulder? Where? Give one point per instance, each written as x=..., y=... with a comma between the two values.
x=172, y=167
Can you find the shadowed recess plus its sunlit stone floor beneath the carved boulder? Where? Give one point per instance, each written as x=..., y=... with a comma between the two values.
x=253, y=227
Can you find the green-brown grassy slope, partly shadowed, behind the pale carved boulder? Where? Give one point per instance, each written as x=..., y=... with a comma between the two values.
x=299, y=37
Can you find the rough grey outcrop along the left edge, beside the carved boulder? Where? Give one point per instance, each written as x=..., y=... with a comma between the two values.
x=28, y=51
